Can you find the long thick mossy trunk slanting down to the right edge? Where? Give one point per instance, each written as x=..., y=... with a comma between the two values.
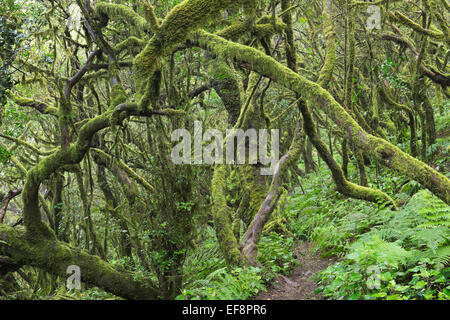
x=382, y=150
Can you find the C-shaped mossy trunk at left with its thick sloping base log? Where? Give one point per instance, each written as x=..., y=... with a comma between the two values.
x=39, y=247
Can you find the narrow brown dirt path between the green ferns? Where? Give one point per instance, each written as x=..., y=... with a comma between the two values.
x=297, y=286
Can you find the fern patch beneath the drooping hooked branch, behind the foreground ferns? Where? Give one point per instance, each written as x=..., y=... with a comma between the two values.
x=322, y=216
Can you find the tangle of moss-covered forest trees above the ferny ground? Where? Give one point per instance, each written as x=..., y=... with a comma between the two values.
x=91, y=92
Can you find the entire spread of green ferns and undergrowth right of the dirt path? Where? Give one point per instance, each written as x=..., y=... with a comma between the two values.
x=384, y=254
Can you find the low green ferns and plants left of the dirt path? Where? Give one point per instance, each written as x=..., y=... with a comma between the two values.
x=208, y=278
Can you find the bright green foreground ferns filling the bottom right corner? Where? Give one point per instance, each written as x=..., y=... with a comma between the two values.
x=405, y=257
